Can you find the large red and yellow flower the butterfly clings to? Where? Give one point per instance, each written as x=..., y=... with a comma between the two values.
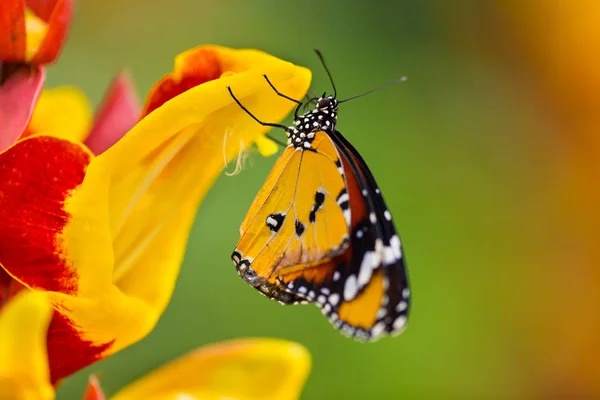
x=105, y=235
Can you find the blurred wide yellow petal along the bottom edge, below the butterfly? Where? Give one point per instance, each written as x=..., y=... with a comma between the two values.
x=250, y=369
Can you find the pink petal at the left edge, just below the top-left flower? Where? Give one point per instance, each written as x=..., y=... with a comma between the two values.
x=18, y=96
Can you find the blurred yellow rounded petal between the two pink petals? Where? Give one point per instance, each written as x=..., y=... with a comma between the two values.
x=62, y=112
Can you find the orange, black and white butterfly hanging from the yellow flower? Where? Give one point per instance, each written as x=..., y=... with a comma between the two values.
x=319, y=230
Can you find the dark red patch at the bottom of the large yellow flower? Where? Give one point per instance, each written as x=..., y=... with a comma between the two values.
x=68, y=352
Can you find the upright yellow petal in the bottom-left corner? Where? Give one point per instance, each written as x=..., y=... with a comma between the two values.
x=24, y=370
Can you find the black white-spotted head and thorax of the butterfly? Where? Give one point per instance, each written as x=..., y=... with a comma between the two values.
x=322, y=117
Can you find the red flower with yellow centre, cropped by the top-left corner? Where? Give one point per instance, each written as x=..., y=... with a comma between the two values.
x=33, y=31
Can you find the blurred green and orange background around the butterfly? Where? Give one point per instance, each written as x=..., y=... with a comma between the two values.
x=474, y=159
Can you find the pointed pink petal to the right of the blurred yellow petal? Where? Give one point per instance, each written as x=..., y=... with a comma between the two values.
x=117, y=114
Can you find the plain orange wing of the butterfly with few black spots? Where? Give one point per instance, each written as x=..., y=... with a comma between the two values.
x=295, y=223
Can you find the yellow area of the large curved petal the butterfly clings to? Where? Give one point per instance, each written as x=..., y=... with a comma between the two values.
x=133, y=212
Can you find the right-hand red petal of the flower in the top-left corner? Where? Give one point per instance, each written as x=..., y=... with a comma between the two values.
x=58, y=27
